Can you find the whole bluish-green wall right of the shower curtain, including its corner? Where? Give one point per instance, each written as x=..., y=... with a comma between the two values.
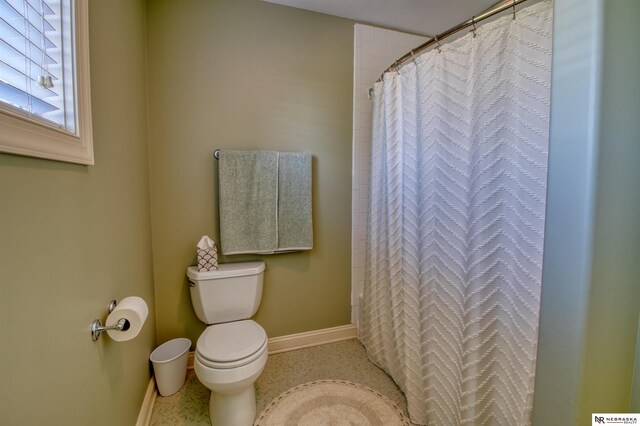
x=590, y=294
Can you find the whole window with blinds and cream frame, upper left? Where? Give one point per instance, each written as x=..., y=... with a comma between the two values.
x=45, y=96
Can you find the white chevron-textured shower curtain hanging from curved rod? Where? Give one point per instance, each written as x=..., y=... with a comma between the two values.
x=456, y=223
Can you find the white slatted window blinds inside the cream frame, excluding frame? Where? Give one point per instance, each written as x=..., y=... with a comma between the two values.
x=37, y=61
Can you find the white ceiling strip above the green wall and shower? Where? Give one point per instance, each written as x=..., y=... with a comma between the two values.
x=424, y=17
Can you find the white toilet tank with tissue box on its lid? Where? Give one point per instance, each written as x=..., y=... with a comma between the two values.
x=231, y=293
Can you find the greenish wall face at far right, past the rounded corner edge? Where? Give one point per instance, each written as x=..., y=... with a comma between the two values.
x=614, y=296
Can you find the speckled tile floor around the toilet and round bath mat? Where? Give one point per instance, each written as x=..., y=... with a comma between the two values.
x=345, y=360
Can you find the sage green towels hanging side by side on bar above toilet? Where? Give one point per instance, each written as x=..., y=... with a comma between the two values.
x=265, y=202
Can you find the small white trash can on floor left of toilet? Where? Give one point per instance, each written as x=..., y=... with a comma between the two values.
x=170, y=365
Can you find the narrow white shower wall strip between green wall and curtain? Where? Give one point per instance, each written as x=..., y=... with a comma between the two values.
x=374, y=50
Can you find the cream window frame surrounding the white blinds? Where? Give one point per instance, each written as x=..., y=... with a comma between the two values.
x=24, y=136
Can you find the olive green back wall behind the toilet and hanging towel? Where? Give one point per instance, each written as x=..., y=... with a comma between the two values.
x=245, y=74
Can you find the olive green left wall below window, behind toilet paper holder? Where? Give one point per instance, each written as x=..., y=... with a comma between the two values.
x=72, y=238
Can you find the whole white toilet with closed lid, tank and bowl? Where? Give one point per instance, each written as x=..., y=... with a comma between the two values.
x=232, y=351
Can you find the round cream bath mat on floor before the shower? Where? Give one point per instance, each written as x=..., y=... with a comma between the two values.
x=331, y=402
